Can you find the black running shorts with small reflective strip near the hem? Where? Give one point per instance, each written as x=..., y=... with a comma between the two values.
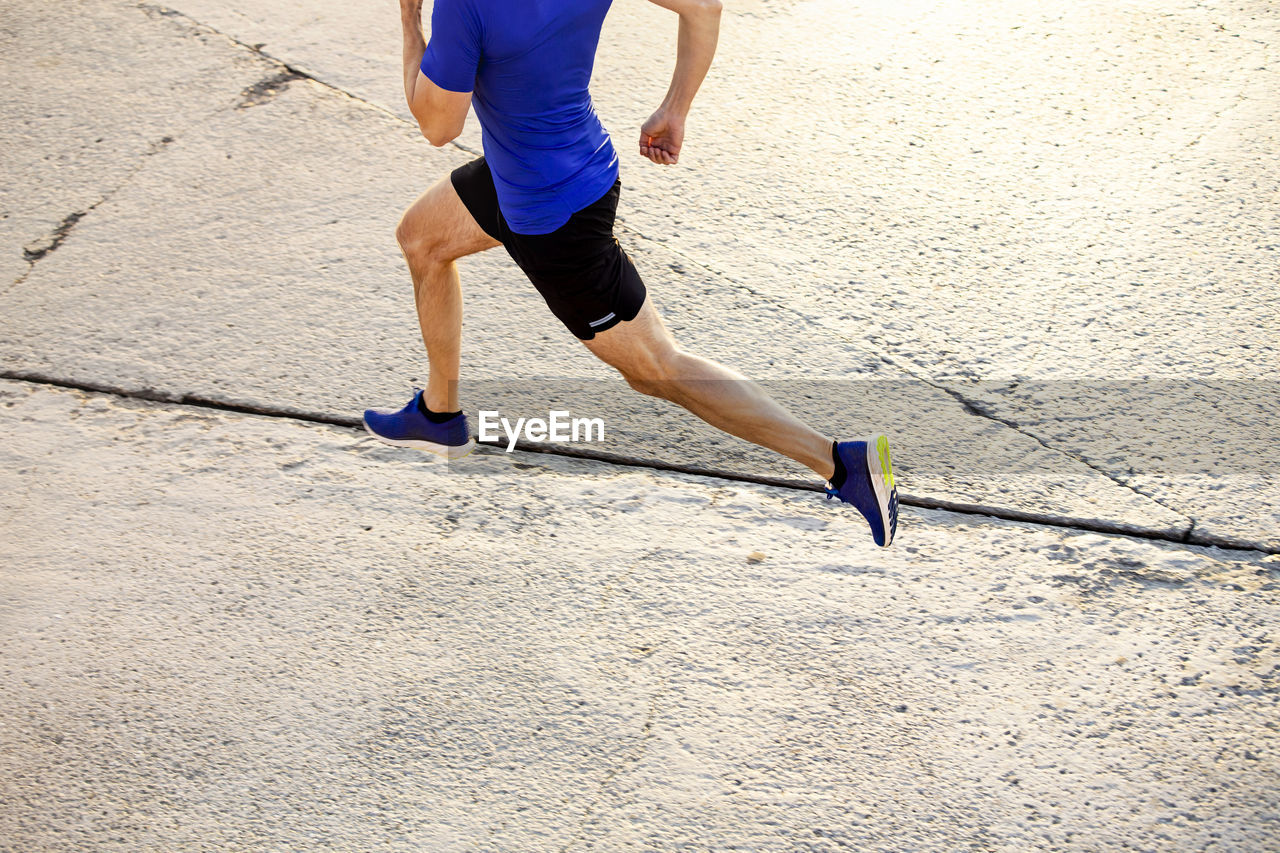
x=586, y=277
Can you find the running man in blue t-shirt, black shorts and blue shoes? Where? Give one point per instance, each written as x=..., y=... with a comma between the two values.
x=547, y=190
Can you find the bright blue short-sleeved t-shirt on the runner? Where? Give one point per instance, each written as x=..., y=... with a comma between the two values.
x=529, y=65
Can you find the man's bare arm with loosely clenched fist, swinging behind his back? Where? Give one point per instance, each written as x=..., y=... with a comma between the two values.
x=662, y=136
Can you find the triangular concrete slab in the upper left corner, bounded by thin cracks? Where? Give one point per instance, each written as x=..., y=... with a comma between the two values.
x=74, y=139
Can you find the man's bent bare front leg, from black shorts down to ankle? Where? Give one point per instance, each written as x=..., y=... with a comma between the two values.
x=433, y=234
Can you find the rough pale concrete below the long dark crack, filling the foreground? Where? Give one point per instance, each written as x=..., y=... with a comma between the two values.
x=227, y=632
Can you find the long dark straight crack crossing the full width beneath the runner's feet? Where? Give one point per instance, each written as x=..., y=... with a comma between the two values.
x=980, y=510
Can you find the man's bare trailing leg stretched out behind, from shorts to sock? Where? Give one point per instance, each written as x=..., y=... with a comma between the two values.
x=647, y=357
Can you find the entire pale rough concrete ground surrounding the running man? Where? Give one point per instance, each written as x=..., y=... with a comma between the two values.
x=1036, y=241
